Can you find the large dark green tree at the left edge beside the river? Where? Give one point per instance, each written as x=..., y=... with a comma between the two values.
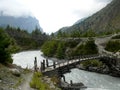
x=5, y=50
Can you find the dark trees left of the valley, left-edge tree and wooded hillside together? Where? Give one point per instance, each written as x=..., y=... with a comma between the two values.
x=15, y=39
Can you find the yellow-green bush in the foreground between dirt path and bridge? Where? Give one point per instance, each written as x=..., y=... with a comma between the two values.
x=41, y=82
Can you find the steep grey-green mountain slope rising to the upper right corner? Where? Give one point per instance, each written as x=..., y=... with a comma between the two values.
x=107, y=19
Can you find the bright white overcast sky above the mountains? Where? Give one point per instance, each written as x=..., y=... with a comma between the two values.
x=53, y=14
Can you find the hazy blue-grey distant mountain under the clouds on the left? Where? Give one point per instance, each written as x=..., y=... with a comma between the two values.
x=27, y=23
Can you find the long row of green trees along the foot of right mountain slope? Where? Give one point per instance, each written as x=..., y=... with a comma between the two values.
x=79, y=33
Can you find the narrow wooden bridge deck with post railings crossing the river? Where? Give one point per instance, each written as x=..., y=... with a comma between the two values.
x=45, y=67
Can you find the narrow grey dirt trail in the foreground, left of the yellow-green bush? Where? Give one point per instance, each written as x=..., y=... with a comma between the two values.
x=25, y=84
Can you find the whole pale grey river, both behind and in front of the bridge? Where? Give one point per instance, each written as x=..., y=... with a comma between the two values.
x=93, y=81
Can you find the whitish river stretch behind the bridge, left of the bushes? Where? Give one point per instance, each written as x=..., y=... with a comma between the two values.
x=26, y=58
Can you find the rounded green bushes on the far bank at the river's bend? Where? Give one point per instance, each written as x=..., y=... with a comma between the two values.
x=54, y=48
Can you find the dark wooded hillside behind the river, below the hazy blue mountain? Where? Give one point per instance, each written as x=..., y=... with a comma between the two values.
x=27, y=40
